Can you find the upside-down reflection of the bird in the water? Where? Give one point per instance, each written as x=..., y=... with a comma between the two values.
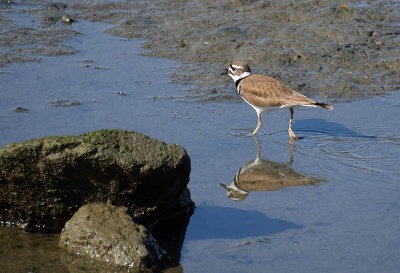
x=264, y=175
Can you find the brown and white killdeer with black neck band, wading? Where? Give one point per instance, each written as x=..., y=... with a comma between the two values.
x=265, y=93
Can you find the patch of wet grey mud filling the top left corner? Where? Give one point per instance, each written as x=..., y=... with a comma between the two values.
x=26, y=37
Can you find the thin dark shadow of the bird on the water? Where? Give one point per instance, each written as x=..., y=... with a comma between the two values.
x=313, y=127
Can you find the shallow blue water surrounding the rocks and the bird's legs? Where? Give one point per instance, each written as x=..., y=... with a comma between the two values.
x=348, y=222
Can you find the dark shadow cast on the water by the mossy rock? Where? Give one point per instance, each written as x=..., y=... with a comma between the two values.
x=209, y=222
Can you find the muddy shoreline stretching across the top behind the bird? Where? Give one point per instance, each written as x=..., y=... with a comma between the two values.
x=320, y=48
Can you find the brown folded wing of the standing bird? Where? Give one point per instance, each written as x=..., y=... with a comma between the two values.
x=265, y=91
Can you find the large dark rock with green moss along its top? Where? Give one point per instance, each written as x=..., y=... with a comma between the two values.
x=43, y=182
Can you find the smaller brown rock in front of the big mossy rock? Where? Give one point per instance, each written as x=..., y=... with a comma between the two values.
x=107, y=234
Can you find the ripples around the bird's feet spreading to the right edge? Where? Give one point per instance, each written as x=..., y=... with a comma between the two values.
x=356, y=160
